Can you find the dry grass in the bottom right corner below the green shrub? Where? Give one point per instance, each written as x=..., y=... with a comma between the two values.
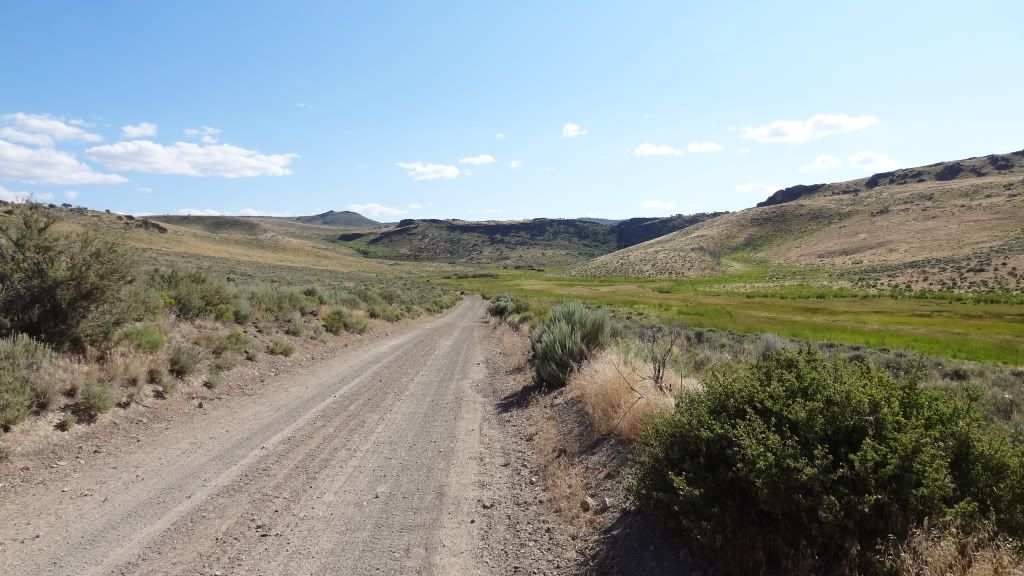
x=930, y=553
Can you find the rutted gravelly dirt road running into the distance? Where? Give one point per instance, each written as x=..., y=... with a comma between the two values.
x=366, y=465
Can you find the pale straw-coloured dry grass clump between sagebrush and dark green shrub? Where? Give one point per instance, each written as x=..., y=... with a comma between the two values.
x=616, y=395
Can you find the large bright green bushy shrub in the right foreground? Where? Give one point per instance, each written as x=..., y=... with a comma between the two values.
x=801, y=465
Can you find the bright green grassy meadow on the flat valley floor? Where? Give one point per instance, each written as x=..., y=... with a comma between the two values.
x=780, y=302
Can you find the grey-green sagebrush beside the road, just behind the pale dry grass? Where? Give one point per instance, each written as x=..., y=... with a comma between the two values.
x=572, y=333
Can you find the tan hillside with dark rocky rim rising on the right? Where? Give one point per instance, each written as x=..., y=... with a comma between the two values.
x=951, y=226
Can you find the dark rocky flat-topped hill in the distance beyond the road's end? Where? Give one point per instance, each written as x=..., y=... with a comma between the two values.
x=539, y=242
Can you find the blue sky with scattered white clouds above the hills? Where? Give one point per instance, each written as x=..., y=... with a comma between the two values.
x=492, y=110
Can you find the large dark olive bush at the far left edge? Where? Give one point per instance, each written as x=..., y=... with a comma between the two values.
x=64, y=291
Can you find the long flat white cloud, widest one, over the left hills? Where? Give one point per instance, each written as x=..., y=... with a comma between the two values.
x=191, y=159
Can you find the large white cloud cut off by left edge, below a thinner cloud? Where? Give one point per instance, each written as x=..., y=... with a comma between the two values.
x=45, y=166
